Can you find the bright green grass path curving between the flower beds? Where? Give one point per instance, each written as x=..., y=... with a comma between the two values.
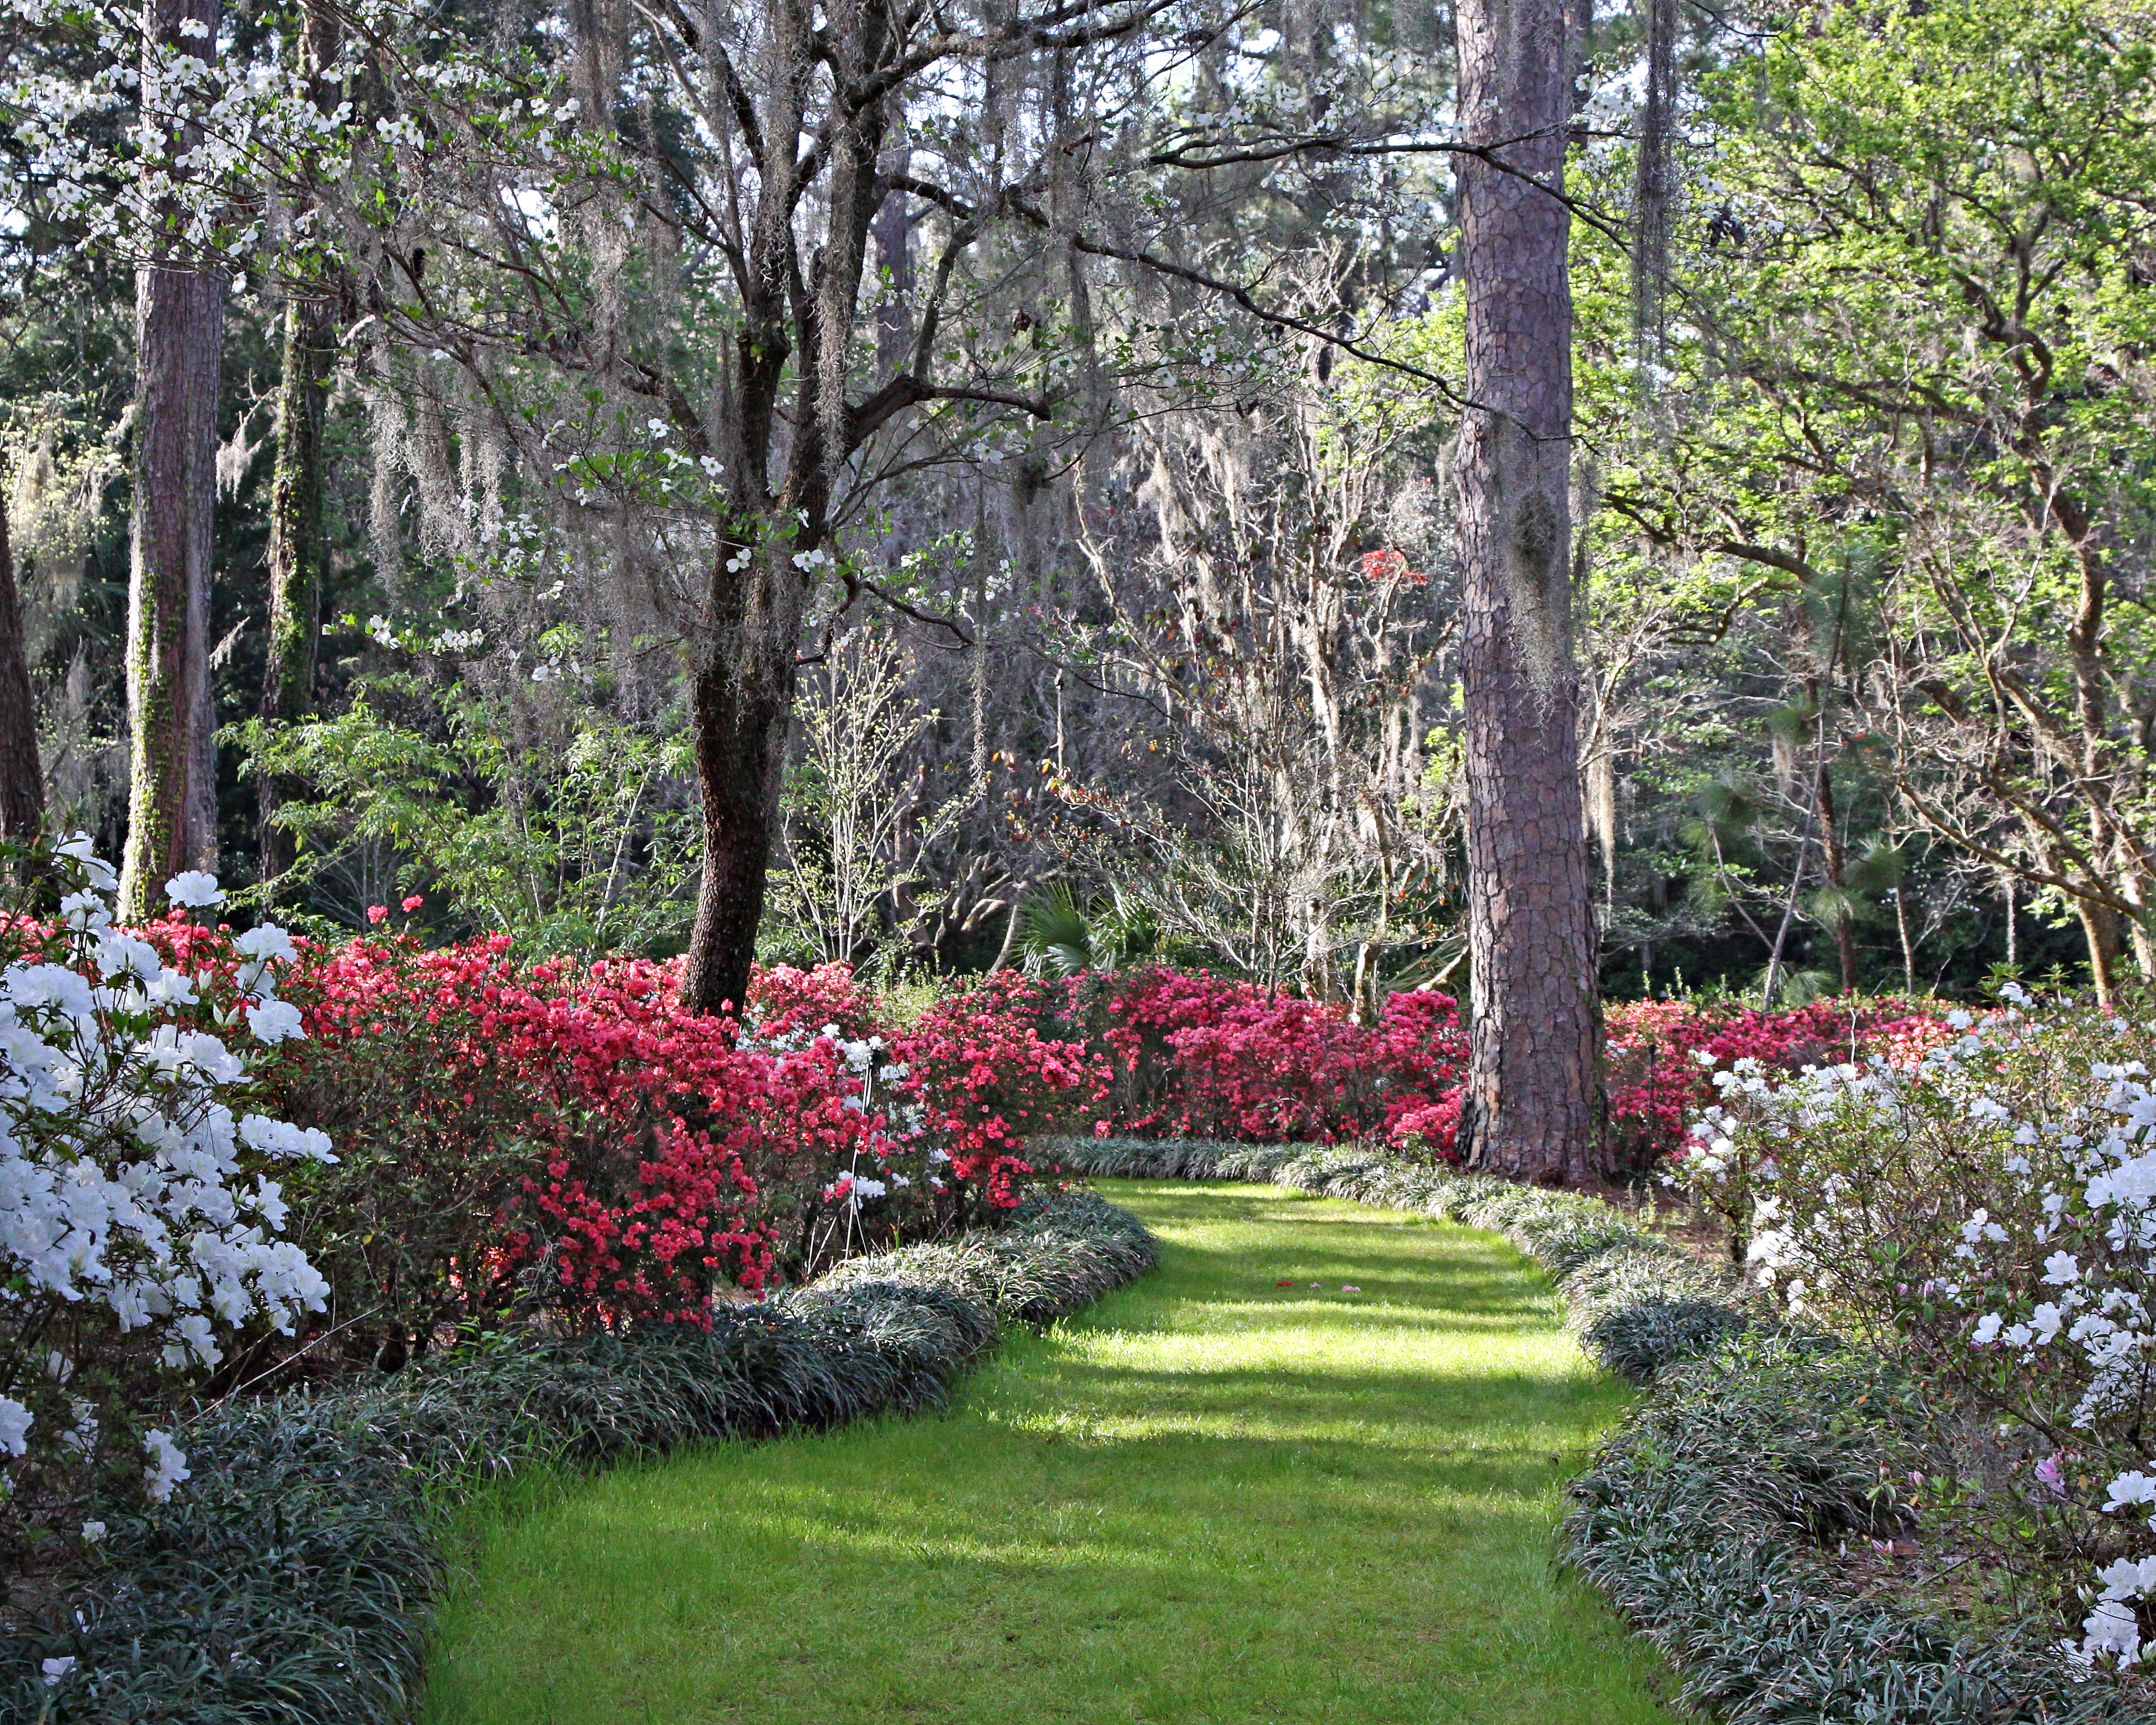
x=1206, y=1502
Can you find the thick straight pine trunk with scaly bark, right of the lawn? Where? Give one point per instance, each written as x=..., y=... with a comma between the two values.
x=1534, y=1088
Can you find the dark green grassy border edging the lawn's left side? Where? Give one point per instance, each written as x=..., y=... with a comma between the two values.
x=292, y=1582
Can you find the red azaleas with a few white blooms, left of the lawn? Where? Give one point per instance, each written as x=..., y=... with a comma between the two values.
x=542, y=1135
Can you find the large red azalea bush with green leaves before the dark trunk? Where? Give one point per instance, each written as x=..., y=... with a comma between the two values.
x=540, y=1131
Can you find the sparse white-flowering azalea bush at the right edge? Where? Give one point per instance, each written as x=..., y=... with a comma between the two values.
x=1989, y=1215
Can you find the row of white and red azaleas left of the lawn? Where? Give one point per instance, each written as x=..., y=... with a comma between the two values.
x=236, y=1161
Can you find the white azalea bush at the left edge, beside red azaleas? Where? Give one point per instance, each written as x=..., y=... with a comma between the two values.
x=141, y=1202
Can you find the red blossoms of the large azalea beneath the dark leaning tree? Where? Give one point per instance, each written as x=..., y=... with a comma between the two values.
x=648, y=1131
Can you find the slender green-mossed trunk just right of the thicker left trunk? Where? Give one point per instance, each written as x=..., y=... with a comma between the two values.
x=294, y=553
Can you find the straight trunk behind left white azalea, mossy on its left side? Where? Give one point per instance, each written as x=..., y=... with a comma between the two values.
x=180, y=353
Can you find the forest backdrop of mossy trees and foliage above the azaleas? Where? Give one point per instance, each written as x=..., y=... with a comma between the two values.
x=1129, y=626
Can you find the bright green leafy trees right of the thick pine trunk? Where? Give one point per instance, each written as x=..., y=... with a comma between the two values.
x=1868, y=521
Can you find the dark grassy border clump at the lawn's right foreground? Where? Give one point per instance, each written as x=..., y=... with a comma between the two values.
x=1719, y=1521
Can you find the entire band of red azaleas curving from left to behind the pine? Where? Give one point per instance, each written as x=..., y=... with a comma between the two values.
x=523, y=1133
